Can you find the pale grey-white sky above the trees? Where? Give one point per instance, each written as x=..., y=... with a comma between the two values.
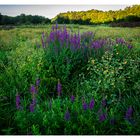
x=51, y=11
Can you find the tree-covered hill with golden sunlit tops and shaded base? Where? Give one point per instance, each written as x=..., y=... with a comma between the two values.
x=129, y=14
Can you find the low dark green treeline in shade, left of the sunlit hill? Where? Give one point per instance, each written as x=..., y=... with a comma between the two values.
x=23, y=19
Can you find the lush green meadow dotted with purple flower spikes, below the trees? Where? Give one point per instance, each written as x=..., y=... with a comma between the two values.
x=70, y=80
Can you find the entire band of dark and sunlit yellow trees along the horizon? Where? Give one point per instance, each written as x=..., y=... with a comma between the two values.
x=129, y=17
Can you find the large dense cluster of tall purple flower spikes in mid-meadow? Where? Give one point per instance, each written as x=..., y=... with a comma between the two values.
x=61, y=37
